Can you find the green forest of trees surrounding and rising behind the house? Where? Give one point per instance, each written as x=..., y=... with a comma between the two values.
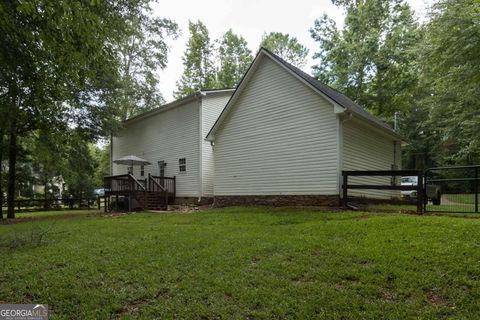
x=71, y=71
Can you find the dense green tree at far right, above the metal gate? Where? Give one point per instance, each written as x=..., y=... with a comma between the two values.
x=450, y=59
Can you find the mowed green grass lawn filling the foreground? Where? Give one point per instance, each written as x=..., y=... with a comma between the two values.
x=245, y=263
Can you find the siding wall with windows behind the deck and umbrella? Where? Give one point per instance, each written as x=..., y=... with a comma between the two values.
x=165, y=136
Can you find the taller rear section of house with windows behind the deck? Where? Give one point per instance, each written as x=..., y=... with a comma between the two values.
x=171, y=137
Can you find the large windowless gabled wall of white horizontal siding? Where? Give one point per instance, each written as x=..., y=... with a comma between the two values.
x=280, y=137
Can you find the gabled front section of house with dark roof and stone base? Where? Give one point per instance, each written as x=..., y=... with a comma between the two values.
x=285, y=137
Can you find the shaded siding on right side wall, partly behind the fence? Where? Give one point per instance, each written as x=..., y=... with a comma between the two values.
x=366, y=149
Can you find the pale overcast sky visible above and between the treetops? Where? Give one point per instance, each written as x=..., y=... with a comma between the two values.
x=251, y=19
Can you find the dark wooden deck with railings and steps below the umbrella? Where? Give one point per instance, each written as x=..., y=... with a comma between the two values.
x=153, y=192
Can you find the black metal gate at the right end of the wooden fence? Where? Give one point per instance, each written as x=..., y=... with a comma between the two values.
x=452, y=189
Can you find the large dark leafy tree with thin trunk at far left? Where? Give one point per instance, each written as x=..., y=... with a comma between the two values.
x=58, y=65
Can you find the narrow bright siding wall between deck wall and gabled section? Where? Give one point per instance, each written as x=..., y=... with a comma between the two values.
x=212, y=106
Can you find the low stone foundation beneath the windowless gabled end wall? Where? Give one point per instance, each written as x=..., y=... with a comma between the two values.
x=277, y=201
